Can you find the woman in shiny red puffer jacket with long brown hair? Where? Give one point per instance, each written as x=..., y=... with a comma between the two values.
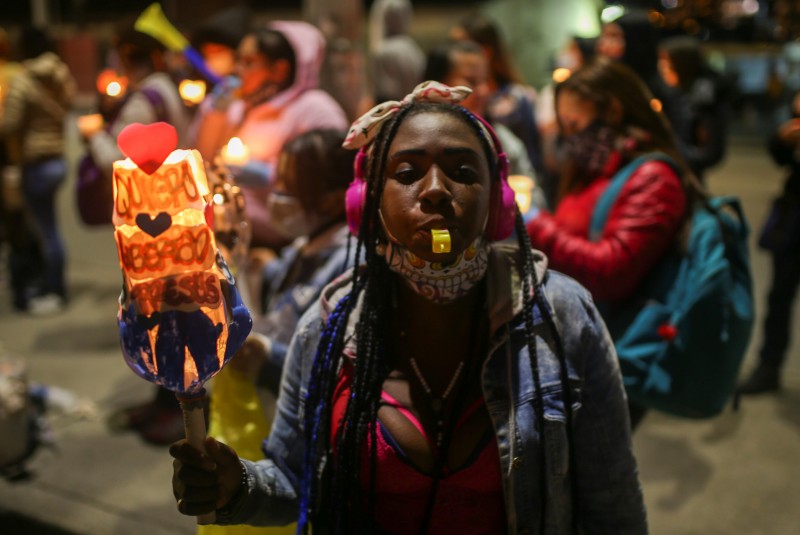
x=607, y=118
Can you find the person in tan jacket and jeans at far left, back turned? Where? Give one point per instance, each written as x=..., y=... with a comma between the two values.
x=35, y=104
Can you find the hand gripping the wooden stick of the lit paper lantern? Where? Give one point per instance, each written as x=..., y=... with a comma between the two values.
x=204, y=482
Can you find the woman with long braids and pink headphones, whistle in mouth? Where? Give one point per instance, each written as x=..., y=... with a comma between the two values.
x=450, y=384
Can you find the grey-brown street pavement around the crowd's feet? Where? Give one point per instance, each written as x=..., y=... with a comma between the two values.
x=734, y=474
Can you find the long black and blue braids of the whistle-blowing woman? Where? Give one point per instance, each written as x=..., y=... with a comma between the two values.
x=331, y=494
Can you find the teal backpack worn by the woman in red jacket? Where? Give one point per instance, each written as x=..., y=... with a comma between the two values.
x=682, y=340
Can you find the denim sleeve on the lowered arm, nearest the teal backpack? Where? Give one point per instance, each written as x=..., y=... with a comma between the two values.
x=609, y=497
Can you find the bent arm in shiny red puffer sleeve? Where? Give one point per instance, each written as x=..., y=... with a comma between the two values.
x=641, y=227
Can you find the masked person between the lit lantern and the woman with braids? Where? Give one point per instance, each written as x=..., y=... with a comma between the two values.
x=307, y=204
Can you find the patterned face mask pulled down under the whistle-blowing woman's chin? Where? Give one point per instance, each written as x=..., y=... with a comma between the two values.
x=437, y=281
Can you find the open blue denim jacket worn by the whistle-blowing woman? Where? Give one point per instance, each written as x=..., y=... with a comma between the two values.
x=602, y=495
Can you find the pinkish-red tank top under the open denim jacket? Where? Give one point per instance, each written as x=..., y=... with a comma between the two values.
x=469, y=500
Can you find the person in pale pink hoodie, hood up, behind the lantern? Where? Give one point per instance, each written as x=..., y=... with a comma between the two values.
x=277, y=98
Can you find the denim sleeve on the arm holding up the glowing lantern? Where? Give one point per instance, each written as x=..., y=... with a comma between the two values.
x=273, y=490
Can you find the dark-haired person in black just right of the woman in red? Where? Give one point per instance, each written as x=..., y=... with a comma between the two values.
x=697, y=102
